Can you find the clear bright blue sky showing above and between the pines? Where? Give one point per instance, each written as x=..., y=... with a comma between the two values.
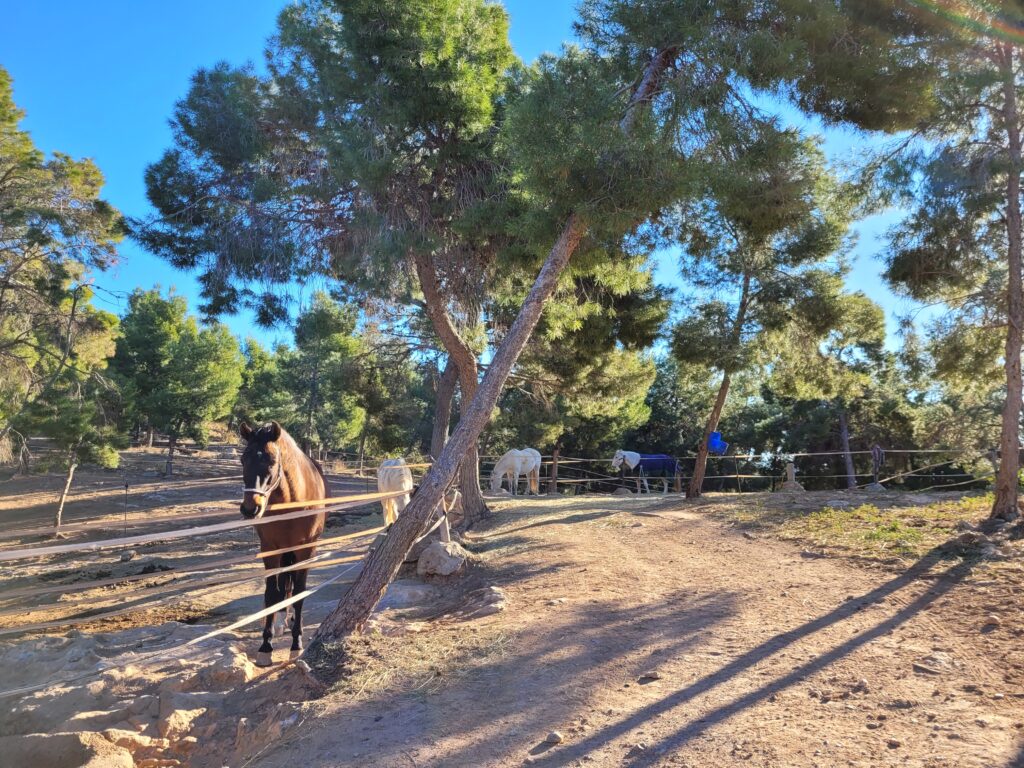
x=106, y=81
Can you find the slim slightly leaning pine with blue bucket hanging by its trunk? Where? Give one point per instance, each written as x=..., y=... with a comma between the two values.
x=756, y=244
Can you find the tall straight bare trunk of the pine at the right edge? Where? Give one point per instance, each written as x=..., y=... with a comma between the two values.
x=1005, y=506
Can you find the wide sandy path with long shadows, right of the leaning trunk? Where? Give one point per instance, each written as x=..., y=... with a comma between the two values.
x=765, y=658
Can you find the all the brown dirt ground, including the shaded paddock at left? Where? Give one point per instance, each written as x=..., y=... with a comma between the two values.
x=645, y=631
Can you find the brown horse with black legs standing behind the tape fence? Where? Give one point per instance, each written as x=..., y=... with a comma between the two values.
x=276, y=471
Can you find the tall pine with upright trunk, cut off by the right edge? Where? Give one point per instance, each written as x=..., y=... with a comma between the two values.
x=962, y=242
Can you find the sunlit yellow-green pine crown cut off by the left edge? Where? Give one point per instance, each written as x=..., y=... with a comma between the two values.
x=54, y=229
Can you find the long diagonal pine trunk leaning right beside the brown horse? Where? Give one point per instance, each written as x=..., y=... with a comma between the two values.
x=382, y=565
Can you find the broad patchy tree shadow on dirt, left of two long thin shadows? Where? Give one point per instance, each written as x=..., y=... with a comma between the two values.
x=567, y=662
